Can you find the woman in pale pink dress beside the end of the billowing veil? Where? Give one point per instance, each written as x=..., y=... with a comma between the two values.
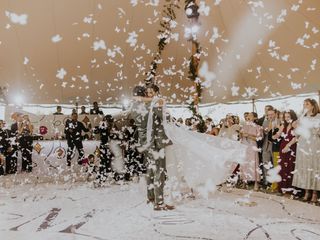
x=249, y=170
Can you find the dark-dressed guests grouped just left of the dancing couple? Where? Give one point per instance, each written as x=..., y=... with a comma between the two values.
x=110, y=131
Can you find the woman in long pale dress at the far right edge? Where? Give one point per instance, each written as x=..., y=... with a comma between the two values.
x=307, y=171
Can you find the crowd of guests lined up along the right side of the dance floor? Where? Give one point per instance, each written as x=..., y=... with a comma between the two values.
x=283, y=154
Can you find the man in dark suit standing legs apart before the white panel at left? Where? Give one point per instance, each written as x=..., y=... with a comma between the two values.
x=73, y=131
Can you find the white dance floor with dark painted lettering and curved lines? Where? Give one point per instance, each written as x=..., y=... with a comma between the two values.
x=79, y=211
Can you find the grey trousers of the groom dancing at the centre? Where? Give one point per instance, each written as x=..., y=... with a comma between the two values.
x=155, y=176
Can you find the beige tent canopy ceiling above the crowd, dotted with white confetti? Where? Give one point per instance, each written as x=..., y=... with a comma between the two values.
x=55, y=51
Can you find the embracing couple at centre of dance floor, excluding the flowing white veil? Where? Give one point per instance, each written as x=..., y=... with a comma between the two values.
x=154, y=150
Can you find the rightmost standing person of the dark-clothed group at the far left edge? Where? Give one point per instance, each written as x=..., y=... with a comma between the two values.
x=25, y=132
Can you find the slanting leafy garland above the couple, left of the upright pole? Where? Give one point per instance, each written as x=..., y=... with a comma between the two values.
x=168, y=15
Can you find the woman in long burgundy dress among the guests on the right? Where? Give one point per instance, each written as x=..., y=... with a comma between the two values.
x=287, y=152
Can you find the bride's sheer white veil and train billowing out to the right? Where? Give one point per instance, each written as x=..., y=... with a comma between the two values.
x=196, y=160
